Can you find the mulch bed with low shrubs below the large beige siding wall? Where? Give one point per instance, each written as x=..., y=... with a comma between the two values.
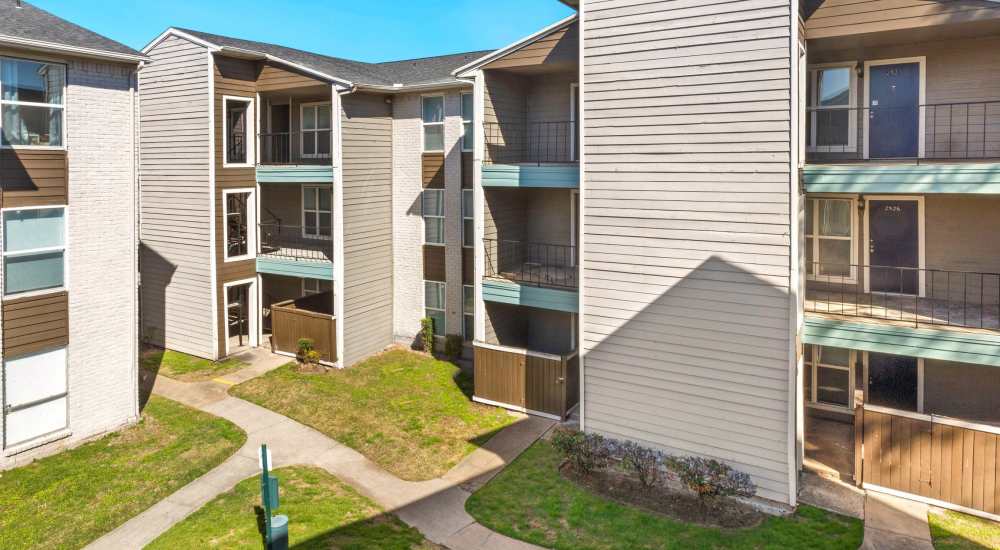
x=667, y=501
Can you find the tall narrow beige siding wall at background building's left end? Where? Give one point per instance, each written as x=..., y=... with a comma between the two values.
x=174, y=185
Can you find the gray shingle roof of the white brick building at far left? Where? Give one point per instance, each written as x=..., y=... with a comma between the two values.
x=31, y=23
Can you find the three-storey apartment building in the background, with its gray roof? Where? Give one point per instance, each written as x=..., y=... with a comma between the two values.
x=290, y=195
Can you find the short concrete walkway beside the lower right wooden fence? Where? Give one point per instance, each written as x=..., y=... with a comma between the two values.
x=893, y=523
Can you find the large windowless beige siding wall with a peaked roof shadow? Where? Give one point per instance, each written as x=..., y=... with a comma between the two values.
x=687, y=221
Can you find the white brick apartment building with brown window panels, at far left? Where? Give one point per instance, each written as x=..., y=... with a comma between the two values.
x=68, y=205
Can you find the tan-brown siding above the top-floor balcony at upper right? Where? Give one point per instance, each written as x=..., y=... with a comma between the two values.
x=844, y=17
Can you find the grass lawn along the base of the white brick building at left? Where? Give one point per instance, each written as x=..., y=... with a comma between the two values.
x=69, y=499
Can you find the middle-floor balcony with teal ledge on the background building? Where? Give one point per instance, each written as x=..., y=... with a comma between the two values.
x=295, y=251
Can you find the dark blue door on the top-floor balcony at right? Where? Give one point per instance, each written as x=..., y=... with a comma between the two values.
x=894, y=110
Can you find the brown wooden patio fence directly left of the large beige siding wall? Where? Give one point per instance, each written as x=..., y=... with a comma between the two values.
x=527, y=381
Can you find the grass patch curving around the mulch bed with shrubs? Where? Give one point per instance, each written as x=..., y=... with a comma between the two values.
x=531, y=501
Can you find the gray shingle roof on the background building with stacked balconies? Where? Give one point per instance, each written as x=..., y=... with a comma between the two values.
x=409, y=72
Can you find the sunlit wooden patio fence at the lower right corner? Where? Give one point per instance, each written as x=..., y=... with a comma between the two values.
x=947, y=462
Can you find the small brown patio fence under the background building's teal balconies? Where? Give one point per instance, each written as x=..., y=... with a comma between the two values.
x=307, y=317
